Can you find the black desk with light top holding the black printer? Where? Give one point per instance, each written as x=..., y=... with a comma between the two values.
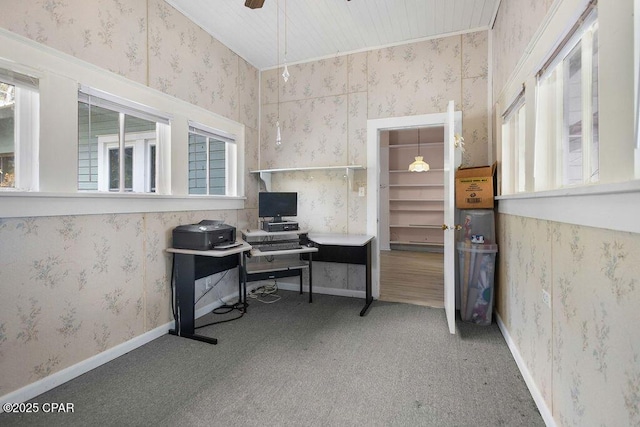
x=190, y=265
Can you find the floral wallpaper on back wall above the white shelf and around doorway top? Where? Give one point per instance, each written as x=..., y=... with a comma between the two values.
x=324, y=107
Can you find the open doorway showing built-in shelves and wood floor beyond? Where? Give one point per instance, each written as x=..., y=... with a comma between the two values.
x=411, y=216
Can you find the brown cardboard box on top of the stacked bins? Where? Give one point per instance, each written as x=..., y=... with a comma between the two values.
x=475, y=187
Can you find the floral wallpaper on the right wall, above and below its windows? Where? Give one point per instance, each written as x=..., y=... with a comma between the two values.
x=584, y=353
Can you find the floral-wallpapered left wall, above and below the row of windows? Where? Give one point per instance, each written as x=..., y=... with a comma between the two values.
x=75, y=286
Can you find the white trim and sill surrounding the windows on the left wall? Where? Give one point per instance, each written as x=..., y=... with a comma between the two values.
x=59, y=75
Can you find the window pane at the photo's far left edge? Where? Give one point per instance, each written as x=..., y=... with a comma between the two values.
x=7, y=134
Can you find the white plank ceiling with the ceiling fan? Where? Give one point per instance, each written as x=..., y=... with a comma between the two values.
x=323, y=28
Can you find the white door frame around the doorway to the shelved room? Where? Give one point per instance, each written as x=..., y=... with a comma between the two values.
x=374, y=127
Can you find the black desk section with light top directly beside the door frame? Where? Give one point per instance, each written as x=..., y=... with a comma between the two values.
x=348, y=249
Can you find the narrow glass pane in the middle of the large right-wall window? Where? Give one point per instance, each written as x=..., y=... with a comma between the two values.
x=573, y=117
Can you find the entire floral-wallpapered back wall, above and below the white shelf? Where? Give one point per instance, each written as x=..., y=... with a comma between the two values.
x=323, y=111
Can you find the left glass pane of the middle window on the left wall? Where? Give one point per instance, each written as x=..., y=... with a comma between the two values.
x=94, y=124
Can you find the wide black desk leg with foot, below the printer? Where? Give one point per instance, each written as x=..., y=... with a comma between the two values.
x=184, y=275
